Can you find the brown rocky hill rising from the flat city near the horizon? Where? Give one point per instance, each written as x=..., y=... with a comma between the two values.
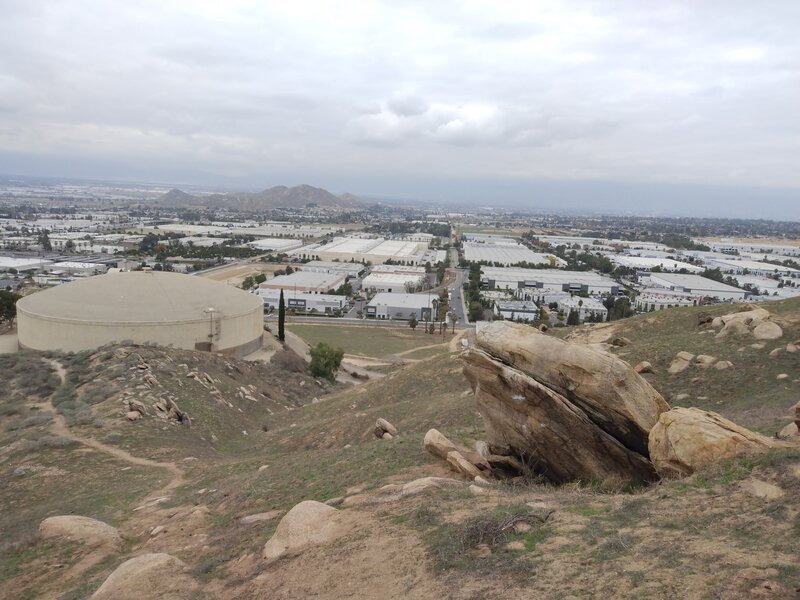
x=275, y=197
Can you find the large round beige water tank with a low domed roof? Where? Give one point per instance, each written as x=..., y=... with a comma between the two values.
x=167, y=309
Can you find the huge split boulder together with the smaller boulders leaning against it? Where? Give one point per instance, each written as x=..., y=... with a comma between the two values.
x=566, y=412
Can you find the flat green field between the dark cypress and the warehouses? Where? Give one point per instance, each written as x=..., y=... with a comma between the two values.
x=367, y=341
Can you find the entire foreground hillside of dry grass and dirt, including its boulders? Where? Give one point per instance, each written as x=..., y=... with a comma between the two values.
x=525, y=465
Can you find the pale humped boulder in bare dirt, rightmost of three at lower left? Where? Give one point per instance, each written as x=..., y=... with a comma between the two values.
x=308, y=523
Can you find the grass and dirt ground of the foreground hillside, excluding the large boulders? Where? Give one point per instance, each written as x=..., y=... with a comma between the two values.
x=256, y=440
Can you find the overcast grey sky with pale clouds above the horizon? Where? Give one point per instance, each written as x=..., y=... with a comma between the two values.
x=696, y=102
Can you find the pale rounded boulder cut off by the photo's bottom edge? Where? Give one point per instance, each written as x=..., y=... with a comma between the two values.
x=149, y=577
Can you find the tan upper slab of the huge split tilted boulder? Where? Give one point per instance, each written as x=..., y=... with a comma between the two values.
x=604, y=387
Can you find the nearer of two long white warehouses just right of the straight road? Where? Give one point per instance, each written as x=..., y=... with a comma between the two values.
x=534, y=284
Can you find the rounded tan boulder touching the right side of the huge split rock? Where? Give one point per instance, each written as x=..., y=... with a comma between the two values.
x=687, y=439
